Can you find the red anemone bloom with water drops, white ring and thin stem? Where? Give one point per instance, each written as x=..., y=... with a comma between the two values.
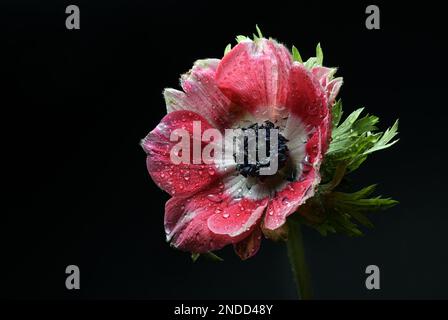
x=258, y=85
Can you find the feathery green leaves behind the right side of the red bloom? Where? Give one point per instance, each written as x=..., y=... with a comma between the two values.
x=331, y=210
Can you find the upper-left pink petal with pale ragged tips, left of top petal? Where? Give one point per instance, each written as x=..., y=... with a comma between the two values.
x=202, y=95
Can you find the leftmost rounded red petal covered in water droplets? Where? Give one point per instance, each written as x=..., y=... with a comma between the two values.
x=177, y=179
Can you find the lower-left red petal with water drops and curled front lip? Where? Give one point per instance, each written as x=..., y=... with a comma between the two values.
x=210, y=219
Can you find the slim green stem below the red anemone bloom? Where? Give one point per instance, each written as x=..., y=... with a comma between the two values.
x=296, y=254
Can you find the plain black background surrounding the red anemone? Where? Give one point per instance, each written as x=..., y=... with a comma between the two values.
x=75, y=104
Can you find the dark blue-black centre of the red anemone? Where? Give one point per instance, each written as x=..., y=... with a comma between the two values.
x=260, y=146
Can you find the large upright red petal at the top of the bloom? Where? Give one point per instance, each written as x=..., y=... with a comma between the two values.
x=254, y=75
